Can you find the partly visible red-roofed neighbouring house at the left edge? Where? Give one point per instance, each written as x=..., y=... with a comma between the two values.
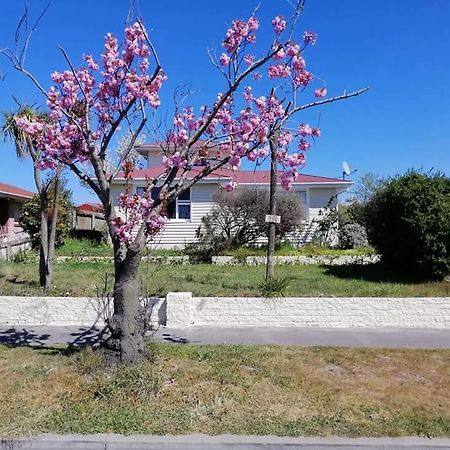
x=12, y=236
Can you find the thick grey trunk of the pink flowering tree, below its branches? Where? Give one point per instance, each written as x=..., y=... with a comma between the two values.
x=126, y=343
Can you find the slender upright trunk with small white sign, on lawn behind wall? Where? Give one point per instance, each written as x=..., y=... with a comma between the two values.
x=271, y=235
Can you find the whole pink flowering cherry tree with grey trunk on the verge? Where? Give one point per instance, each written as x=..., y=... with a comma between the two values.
x=87, y=105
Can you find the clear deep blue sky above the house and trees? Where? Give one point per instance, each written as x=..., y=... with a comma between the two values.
x=400, y=48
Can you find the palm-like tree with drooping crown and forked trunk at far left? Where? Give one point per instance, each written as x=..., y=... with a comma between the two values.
x=26, y=147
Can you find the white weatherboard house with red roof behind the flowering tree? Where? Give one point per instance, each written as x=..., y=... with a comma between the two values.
x=186, y=213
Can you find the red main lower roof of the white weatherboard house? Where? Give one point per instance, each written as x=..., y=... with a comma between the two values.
x=240, y=176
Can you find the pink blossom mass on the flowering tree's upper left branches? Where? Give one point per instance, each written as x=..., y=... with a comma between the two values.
x=85, y=102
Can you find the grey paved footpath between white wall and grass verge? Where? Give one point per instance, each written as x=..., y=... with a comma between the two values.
x=350, y=337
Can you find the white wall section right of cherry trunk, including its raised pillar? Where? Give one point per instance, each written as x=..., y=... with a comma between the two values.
x=305, y=312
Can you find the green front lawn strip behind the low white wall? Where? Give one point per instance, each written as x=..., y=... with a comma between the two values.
x=77, y=278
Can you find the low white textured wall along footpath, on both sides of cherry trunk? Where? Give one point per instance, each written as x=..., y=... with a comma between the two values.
x=182, y=310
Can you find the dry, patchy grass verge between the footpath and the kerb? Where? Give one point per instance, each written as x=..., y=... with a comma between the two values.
x=288, y=391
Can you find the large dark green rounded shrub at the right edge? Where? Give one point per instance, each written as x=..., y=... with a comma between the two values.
x=408, y=223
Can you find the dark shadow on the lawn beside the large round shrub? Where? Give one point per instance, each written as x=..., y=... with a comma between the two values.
x=377, y=273
